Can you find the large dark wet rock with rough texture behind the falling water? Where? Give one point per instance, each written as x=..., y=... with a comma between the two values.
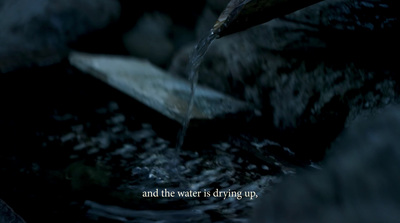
x=311, y=71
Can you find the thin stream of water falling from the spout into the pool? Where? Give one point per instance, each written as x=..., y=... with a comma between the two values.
x=195, y=60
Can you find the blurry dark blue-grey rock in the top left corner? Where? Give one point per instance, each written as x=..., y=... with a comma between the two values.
x=38, y=34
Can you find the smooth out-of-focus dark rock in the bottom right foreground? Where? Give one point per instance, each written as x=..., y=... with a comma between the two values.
x=358, y=182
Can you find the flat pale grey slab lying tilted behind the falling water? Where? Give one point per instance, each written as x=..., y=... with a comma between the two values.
x=155, y=88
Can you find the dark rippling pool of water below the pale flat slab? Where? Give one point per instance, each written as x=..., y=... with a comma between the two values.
x=73, y=153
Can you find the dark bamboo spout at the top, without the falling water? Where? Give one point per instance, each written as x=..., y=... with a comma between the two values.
x=243, y=14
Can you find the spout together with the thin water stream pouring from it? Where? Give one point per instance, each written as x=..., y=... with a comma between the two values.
x=237, y=16
